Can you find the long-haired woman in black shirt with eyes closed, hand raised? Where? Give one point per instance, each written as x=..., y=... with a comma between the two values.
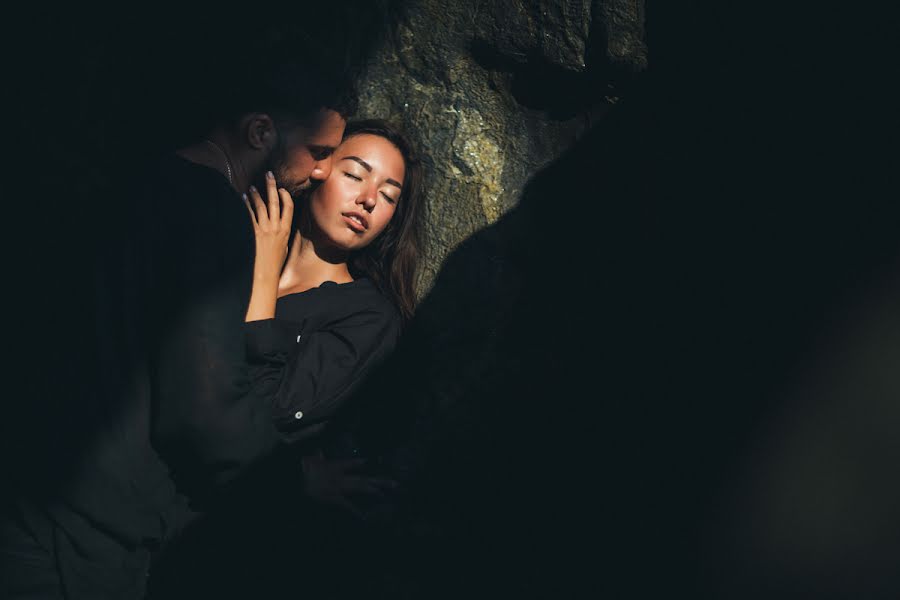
x=324, y=314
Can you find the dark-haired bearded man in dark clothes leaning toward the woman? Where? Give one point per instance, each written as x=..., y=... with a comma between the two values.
x=173, y=419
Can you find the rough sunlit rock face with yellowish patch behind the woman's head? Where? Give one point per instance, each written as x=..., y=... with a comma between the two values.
x=493, y=91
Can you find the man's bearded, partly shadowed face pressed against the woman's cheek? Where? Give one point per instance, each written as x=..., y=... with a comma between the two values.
x=304, y=154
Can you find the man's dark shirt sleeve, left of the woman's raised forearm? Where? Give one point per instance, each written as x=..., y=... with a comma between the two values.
x=209, y=422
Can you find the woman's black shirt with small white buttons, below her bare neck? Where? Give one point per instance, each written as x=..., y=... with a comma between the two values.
x=311, y=381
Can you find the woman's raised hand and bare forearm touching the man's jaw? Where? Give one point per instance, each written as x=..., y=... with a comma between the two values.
x=272, y=229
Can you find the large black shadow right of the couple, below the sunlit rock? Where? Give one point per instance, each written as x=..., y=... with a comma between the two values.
x=669, y=369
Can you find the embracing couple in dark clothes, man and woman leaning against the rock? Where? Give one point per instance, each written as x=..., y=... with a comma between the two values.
x=268, y=269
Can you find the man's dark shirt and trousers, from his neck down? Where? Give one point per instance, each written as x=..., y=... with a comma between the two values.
x=173, y=412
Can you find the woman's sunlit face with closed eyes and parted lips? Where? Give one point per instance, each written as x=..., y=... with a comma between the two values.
x=354, y=205
